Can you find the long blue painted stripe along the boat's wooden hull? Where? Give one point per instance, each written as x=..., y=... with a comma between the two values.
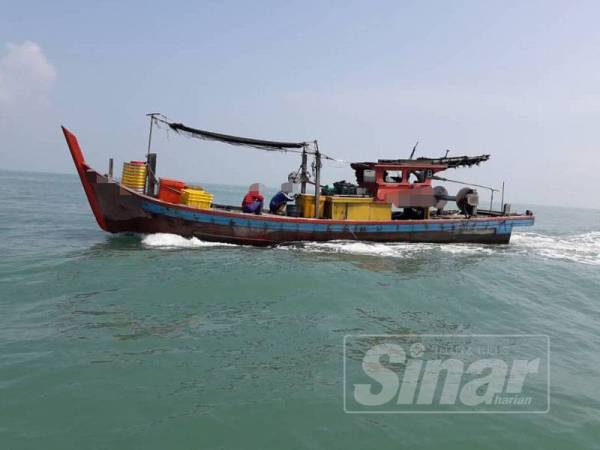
x=500, y=226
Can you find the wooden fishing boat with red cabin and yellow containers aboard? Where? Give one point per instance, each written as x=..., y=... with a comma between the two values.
x=393, y=200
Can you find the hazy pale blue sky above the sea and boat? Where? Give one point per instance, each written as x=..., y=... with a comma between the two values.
x=517, y=79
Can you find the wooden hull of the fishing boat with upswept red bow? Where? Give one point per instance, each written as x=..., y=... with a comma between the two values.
x=119, y=209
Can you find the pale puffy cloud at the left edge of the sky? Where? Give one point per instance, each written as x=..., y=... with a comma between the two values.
x=26, y=76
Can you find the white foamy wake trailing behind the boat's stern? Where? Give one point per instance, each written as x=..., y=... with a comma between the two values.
x=582, y=248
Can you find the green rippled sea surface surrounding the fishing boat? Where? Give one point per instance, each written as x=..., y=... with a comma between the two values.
x=160, y=342
